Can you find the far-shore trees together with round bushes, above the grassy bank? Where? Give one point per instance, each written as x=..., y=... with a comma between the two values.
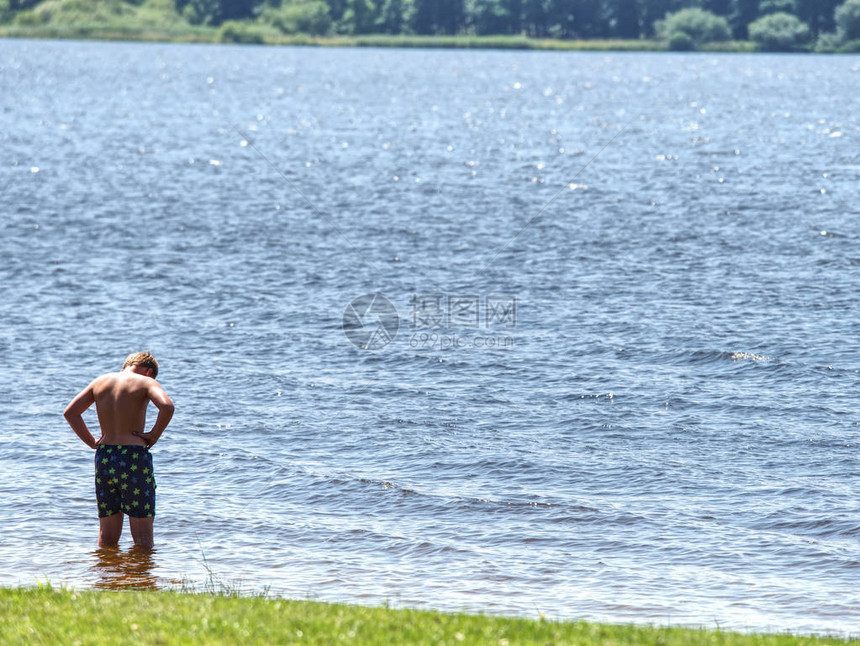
x=684, y=24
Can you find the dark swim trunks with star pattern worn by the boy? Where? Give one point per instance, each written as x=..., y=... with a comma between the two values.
x=125, y=481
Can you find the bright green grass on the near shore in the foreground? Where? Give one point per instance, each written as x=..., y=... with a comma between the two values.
x=52, y=616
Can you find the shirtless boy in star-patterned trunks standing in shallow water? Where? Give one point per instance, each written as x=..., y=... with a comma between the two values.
x=125, y=482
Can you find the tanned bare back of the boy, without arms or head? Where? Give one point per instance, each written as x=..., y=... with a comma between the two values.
x=121, y=400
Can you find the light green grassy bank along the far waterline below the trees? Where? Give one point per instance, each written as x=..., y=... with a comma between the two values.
x=258, y=34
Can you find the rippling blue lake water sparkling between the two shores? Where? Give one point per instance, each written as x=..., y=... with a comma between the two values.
x=624, y=381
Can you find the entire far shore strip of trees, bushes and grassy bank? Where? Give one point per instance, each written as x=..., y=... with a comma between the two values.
x=732, y=25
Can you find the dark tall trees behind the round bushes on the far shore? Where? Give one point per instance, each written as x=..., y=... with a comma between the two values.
x=567, y=19
